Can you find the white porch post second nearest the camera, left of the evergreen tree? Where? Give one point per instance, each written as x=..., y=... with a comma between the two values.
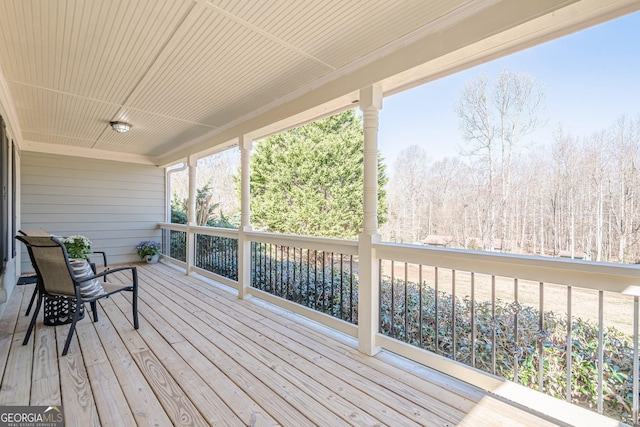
x=244, y=244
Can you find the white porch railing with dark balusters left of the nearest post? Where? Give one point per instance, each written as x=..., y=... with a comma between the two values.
x=311, y=276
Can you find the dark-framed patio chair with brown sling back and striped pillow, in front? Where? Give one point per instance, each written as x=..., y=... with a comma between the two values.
x=57, y=283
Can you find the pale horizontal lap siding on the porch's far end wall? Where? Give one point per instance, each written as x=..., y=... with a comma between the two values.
x=116, y=205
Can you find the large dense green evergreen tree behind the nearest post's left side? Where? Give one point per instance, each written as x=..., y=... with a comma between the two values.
x=309, y=180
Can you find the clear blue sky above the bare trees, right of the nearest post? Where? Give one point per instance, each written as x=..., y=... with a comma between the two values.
x=590, y=78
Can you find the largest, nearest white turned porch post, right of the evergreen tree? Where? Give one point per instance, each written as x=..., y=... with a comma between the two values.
x=368, y=289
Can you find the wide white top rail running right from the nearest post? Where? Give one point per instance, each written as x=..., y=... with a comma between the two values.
x=621, y=278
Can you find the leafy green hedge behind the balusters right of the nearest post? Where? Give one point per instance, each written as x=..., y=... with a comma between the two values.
x=525, y=346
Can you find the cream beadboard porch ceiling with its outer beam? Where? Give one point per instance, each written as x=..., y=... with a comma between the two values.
x=193, y=74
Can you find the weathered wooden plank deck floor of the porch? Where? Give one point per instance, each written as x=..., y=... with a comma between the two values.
x=203, y=357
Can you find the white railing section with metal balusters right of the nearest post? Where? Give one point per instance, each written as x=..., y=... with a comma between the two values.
x=487, y=309
